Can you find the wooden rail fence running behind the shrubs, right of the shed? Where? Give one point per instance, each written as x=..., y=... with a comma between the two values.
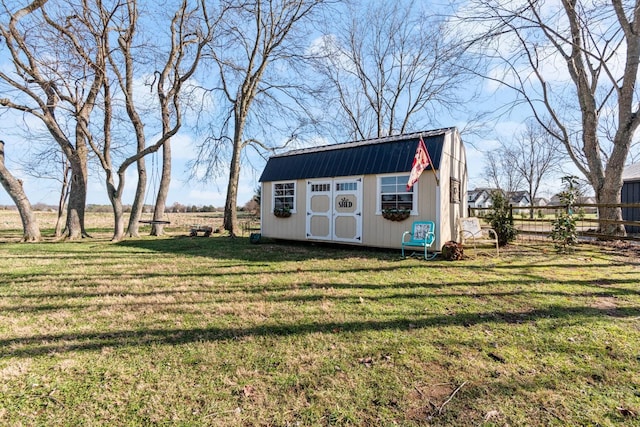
x=536, y=221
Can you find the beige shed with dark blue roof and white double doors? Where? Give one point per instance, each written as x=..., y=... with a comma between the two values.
x=344, y=192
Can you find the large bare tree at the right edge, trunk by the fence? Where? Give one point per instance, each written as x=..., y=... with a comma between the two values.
x=599, y=45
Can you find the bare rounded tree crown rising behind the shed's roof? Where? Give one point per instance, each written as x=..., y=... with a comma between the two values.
x=390, y=67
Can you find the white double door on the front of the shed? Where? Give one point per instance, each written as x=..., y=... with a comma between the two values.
x=334, y=209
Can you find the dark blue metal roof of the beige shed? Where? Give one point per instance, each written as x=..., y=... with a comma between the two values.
x=373, y=156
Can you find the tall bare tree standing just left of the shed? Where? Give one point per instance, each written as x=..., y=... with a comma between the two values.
x=257, y=46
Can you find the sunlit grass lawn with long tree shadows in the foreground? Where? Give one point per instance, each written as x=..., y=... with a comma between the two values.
x=220, y=332
